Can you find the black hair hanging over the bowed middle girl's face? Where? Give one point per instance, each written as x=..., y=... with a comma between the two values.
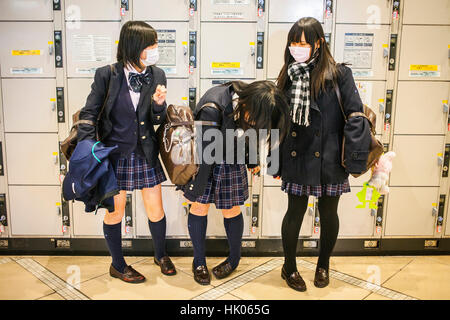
x=261, y=105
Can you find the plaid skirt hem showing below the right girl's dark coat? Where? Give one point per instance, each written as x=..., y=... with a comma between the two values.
x=331, y=190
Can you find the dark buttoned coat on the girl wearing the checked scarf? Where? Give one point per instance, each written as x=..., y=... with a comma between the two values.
x=312, y=155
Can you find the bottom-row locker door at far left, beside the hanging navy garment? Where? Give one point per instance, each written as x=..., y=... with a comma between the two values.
x=35, y=210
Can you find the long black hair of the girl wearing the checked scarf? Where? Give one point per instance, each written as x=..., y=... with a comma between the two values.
x=325, y=66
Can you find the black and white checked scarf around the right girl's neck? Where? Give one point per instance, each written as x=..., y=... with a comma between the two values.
x=301, y=94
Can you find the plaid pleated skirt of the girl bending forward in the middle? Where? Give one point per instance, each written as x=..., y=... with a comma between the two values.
x=227, y=187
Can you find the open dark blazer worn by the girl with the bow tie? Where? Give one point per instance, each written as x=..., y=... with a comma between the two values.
x=148, y=111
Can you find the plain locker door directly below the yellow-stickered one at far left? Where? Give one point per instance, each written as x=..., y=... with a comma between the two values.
x=21, y=111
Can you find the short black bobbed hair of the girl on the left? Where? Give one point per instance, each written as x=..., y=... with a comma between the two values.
x=135, y=36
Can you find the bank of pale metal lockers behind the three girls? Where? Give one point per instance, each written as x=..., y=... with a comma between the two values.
x=398, y=52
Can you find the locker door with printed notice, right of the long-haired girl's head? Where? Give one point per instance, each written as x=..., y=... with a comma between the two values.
x=365, y=48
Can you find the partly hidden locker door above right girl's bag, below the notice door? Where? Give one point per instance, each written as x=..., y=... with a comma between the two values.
x=373, y=94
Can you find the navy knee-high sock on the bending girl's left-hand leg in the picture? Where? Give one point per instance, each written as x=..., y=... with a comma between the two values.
x=197, y=230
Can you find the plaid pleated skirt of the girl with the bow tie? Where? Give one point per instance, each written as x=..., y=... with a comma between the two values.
x=134, y=172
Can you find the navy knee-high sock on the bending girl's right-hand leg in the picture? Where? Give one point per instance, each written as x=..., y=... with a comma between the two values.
x=234, y=228
